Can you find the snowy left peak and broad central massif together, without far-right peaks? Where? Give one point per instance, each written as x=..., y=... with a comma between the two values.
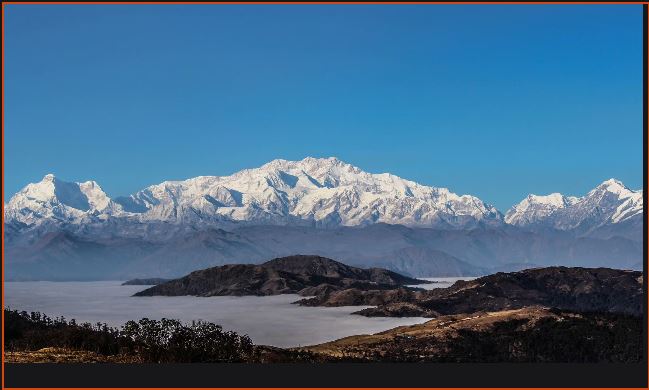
x=315, y=191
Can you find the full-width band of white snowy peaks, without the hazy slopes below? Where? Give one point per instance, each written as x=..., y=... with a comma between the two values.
x=321, y=192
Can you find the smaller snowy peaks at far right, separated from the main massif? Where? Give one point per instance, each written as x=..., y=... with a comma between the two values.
x=611, y=202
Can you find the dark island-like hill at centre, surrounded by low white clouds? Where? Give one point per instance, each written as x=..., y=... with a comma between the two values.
x=304, y=275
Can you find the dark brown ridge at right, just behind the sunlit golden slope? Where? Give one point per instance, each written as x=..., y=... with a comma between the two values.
x=576, y=289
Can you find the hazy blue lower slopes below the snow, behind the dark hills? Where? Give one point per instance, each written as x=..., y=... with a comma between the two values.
x=64, y=256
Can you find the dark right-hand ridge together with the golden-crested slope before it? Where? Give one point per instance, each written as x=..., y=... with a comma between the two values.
x=554, y=314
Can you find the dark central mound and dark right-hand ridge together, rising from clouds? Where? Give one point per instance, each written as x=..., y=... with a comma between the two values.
x=330, y=283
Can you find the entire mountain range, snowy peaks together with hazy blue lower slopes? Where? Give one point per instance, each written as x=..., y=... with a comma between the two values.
x=60, y=230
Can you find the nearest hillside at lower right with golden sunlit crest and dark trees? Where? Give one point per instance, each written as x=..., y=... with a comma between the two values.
x=531, y=334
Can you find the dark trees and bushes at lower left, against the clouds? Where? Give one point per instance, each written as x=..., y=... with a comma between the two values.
x=151, y=341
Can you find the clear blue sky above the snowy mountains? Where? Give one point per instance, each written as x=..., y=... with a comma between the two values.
x=494, y=101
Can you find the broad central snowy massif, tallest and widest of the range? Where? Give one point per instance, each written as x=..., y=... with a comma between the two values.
x=325, y=192
